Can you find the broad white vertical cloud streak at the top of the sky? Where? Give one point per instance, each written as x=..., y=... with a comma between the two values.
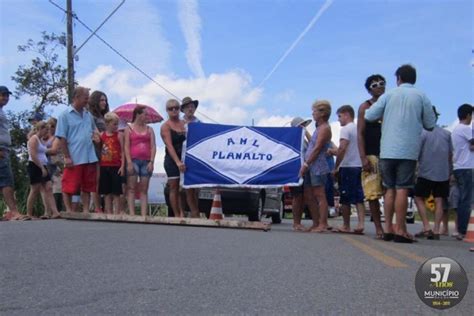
x=190, y=22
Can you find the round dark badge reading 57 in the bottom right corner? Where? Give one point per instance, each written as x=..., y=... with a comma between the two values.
x=441, y=282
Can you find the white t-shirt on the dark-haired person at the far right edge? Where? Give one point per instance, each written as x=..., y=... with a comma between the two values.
x=463, y=157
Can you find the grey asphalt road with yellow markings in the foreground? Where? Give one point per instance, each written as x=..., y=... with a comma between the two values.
x=65, y=267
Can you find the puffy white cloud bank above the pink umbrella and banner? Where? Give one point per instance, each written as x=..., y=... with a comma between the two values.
x=226, y=98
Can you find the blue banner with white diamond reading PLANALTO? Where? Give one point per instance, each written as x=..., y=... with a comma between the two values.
x=225, y=155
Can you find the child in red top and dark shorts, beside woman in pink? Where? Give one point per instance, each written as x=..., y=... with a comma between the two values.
x=111, y=164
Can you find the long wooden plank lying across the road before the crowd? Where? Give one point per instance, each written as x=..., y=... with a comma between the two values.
x=201, y=222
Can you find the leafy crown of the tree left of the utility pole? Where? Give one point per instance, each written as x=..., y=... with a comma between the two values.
x=45, y=79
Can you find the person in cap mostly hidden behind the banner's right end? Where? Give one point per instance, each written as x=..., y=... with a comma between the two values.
x=302, y=194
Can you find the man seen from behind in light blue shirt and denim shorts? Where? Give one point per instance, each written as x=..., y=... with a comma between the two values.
x=405, y=111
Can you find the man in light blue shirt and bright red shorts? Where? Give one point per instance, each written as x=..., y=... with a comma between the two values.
x=77, y=132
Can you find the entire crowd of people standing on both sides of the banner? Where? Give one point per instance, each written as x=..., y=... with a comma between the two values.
x=89, y=150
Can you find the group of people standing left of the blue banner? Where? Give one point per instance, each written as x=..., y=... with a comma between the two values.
x=89, y=152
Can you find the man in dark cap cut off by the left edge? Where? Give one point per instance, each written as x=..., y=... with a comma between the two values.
x=6, y=175
